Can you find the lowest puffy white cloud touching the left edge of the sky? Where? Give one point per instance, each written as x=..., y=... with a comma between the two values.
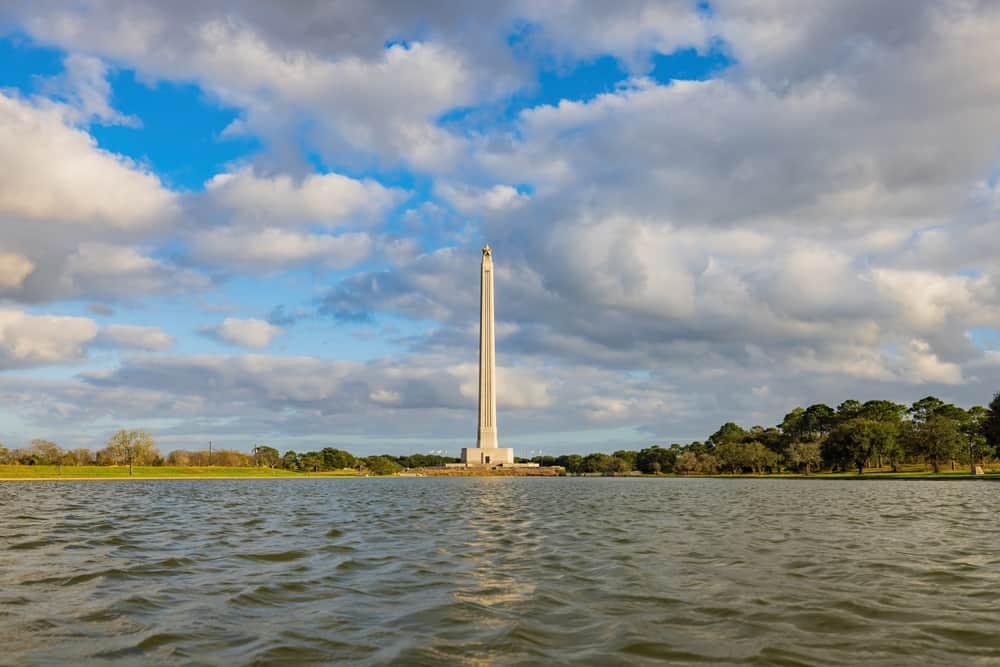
x=30, y=340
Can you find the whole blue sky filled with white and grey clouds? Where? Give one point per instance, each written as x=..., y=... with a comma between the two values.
x=257, y=224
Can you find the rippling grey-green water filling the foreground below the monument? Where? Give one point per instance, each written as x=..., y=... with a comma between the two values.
x=500, y=571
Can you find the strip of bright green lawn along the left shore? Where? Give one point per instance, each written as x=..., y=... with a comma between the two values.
x=56, y=472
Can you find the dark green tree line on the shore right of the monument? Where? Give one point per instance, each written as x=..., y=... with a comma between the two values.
x=852, y=436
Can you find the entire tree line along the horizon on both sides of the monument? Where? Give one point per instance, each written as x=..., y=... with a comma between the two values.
x=852, y=436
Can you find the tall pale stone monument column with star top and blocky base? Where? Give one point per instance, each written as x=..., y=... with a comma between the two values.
x=486, y=451
